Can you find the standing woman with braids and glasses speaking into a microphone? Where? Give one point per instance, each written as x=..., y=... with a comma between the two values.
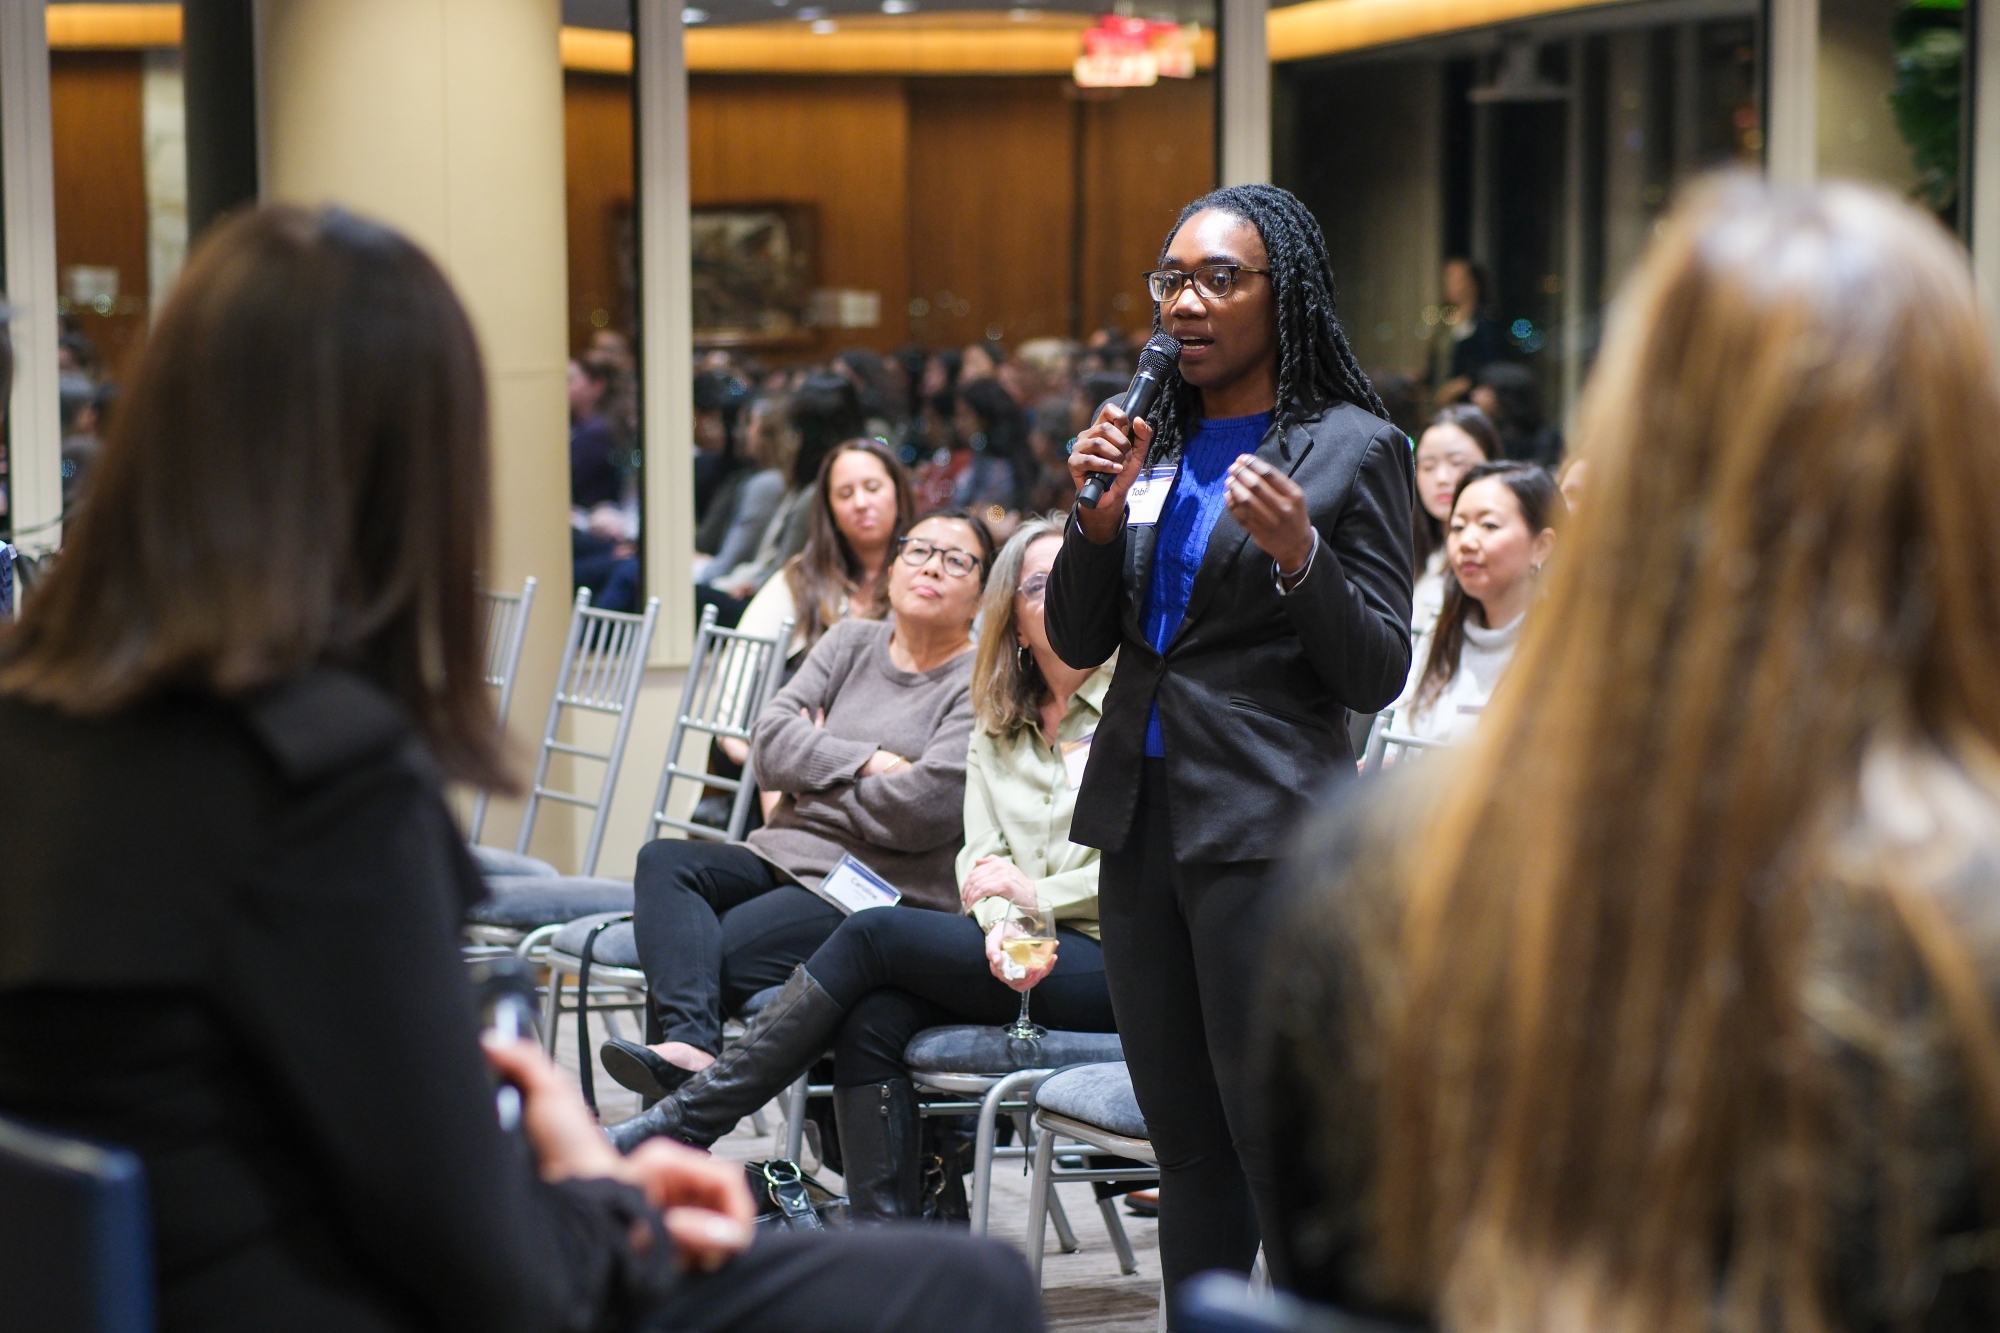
x=1257, y=589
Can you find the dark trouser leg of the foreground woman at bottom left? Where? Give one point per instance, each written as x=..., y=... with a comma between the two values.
x=873, y=1280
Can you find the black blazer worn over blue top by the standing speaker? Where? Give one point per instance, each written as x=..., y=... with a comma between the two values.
x=1255, y=688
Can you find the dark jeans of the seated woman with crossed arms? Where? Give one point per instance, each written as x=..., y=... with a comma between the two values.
x=715, y=924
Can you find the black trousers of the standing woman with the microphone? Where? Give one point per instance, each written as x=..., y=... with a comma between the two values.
x=1183, y=946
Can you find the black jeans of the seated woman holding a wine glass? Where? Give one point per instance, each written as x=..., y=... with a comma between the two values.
x=901, y=970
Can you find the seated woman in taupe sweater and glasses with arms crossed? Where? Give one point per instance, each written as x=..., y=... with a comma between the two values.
x=869, y=748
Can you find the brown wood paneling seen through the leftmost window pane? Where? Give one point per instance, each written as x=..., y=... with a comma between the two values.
x=97, y=129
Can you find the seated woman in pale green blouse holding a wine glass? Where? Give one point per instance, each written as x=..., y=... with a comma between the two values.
x=891, y=972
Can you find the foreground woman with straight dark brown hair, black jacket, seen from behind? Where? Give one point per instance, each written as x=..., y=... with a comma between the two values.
x=229, y=930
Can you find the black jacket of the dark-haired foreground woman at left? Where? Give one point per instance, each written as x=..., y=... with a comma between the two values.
x=229, y=940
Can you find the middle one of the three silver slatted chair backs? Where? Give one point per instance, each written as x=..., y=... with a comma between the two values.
x=603, y=672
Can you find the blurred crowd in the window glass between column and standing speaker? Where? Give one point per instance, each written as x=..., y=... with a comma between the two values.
x=981, y=429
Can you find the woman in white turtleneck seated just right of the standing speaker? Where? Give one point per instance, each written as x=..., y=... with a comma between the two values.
x=1499, y=537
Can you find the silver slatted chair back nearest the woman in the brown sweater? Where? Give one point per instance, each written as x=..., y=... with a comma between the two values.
x=731, y=680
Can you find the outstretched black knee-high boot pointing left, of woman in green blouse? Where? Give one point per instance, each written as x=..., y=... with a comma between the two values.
x=781, y=1044
